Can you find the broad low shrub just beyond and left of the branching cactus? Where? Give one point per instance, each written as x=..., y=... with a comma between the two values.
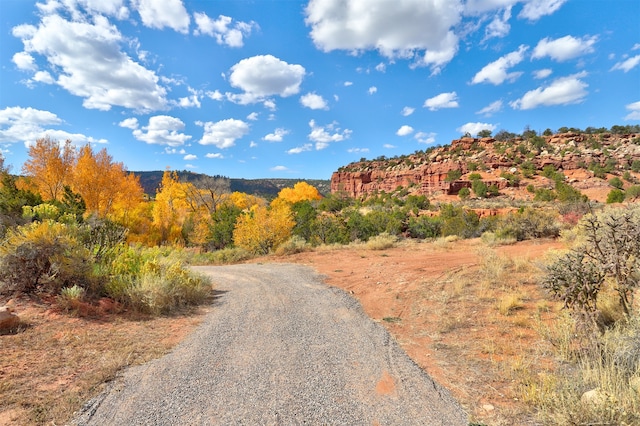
x=528, y=224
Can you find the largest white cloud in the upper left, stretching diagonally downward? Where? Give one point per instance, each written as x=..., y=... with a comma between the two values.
x=85, y=59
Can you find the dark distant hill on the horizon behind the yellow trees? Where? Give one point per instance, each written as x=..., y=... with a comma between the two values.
x=267, y=188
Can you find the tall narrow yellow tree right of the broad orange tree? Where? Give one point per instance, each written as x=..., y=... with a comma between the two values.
x=170, y=210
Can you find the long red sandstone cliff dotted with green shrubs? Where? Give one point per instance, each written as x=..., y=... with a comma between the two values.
x=426, y=173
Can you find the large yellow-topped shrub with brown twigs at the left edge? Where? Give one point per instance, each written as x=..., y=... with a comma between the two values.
x=43, y=256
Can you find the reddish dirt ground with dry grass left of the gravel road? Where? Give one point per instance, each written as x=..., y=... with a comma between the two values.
x=56, y=362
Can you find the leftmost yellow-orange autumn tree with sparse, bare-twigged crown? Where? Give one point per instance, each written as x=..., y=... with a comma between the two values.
x=50, y=166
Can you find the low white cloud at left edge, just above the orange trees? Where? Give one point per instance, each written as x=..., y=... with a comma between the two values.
x=26, y=125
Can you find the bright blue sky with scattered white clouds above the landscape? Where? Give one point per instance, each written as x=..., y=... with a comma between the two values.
x=296, y=89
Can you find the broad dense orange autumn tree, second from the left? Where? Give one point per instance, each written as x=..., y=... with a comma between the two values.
x=105, y=186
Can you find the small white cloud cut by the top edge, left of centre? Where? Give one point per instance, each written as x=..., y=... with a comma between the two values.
x=163, y=14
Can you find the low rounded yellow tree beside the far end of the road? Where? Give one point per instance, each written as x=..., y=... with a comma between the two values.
x=262, y=229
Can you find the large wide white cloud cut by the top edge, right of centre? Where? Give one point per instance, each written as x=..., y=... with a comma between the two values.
x=411, y=29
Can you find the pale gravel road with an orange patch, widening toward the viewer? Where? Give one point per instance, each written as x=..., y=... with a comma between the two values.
x=279, y=348
